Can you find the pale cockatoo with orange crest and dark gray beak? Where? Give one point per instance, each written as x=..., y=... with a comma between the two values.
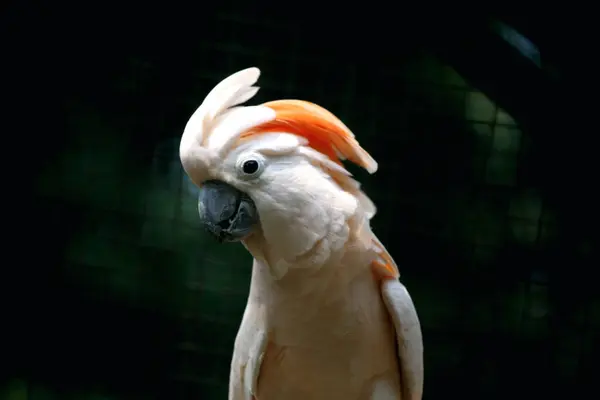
x=327, y=317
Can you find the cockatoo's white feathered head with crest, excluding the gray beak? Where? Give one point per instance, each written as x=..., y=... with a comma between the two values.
x=299, y=186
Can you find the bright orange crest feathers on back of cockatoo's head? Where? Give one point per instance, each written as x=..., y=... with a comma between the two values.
x=323, y=130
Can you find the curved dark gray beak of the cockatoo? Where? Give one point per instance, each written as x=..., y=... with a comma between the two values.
x=227, y=213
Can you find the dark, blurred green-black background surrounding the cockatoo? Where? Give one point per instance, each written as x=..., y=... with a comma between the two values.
x=485, y=191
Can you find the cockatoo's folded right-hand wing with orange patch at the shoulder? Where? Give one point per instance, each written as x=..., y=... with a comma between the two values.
x=406, y=322
